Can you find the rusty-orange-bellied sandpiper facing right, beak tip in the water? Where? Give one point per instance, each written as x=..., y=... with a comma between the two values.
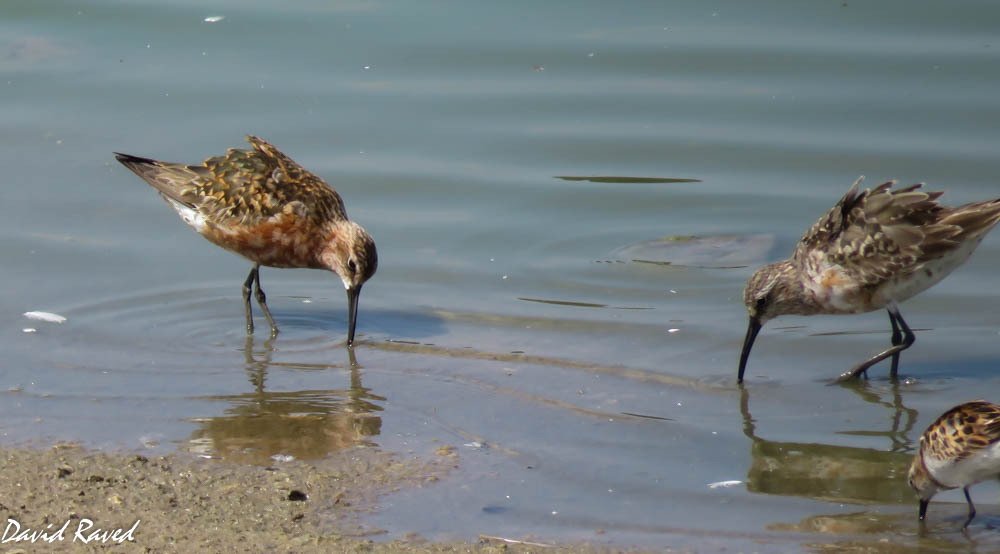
x=263, y=206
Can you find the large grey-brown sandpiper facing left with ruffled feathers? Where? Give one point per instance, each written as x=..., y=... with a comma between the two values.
x=872, y=250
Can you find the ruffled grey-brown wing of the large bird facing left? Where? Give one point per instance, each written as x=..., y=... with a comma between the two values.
x=881, y=233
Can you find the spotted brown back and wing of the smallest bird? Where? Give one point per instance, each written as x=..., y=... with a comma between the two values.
x=962, y=431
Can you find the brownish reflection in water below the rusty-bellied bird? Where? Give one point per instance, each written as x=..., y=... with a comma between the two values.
x=260, y=427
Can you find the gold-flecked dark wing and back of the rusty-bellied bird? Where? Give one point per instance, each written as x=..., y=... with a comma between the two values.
x=243, y=187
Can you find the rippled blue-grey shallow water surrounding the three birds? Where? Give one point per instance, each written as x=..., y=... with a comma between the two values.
x=567, y=203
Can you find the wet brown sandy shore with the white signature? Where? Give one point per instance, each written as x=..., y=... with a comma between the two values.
x=179, y=502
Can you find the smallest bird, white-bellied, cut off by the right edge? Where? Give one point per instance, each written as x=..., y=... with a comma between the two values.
x=961, y=448
